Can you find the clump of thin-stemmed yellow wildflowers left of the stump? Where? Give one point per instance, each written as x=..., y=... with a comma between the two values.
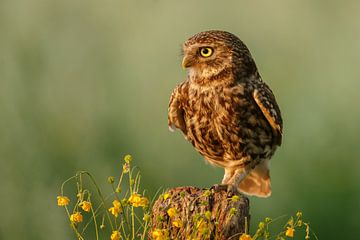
x=119, y=210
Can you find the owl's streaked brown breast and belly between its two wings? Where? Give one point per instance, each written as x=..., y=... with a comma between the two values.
x=225, y=124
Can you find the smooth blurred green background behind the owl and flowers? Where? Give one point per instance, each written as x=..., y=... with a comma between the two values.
x=84, y=82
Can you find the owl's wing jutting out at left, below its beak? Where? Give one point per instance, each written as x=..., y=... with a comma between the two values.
x=176, y=111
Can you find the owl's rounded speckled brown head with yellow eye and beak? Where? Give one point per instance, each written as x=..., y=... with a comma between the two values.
x=217, y=55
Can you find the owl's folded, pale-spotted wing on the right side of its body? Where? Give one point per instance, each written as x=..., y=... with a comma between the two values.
x=265, y=99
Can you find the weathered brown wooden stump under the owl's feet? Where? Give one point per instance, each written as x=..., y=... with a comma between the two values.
x=193, y=213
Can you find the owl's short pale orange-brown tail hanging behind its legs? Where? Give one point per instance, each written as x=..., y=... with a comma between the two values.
x=257, y=182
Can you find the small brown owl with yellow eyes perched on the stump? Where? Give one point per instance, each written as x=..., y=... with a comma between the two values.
x=227, y=112
